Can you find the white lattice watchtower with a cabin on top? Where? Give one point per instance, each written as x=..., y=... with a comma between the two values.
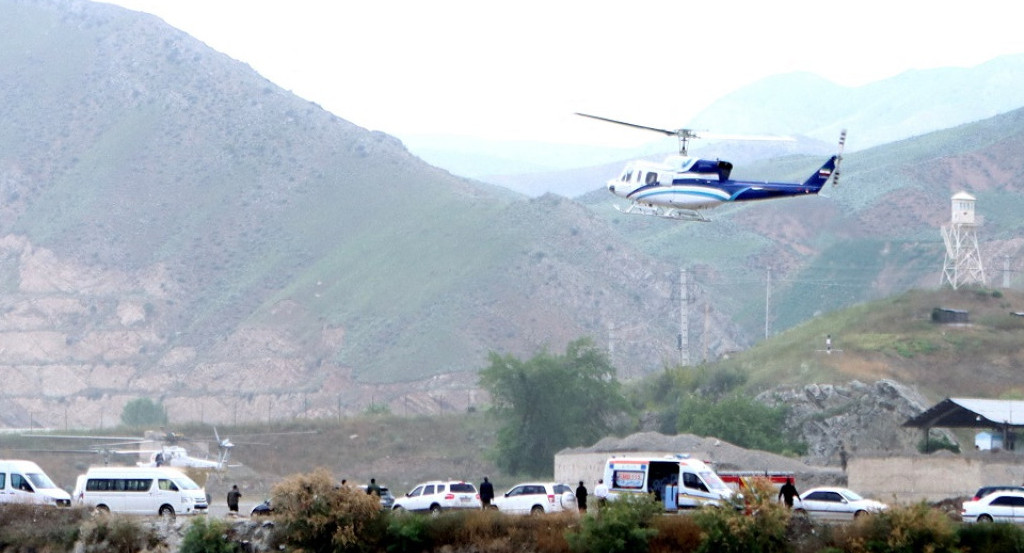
x=963, y=265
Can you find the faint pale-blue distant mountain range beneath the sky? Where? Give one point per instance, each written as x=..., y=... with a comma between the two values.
x=799, y=105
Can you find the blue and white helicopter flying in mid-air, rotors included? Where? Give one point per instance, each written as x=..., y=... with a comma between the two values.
x=680, y=187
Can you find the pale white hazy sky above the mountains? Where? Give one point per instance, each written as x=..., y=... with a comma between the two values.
x=519, y=70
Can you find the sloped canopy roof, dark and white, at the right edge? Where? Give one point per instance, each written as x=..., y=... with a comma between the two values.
x=970, y=413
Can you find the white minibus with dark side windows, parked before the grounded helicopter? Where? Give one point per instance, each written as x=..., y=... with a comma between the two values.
x=149, y=491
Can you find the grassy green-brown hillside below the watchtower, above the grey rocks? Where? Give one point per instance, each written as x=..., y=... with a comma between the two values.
x=897, y=338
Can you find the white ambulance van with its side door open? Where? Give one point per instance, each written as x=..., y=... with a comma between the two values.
x=679, y=483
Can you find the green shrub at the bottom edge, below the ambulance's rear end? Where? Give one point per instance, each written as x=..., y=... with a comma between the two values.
x=624, y=526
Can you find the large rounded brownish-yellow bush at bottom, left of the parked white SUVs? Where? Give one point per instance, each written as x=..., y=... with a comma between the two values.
x=314, y=513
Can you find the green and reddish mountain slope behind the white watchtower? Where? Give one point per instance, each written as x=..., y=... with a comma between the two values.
x=875, y=235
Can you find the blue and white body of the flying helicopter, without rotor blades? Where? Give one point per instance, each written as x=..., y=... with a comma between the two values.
x=694, y=184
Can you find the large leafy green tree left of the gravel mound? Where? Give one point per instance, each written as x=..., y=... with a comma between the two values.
x=550, y=403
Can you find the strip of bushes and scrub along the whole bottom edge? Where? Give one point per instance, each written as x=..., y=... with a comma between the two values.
x=314, y=514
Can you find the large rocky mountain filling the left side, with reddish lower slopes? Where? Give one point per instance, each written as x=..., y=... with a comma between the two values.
x=177, y=227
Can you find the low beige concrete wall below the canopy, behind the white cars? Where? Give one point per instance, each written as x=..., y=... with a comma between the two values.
x=930, y=479
